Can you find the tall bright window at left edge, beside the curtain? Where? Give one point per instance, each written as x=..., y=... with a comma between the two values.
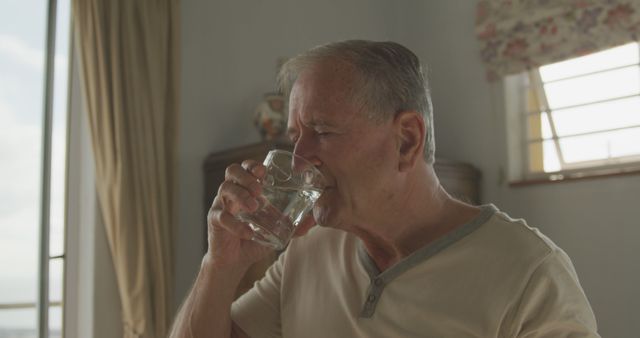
x=34, y=57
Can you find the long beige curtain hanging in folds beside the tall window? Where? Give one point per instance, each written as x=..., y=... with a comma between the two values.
x=129, y=56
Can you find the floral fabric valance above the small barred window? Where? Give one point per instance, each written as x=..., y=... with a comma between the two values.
x=516, y=35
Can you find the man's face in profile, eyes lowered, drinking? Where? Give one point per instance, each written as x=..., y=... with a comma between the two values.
x=357, y=156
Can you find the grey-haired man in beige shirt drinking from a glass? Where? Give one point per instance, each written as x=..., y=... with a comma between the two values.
x=393, y=254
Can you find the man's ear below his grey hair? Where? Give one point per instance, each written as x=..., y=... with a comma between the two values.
x=410, y=132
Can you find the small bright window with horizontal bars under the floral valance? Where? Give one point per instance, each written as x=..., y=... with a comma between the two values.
x=579, y=117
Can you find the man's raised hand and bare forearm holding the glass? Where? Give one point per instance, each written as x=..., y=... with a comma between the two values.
x=207, y=310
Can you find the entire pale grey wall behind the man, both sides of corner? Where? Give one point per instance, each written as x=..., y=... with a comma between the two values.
x=229, y=50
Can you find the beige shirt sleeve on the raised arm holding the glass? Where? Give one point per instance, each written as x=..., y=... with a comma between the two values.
x=257, y=312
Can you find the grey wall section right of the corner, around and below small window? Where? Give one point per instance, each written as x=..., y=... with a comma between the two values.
x=593, y=221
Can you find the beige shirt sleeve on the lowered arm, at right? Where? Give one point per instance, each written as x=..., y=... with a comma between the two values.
x=553, y=303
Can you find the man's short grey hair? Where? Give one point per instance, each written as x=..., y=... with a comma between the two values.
x=389, y=79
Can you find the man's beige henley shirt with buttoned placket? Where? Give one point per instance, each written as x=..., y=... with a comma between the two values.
x=492, y=277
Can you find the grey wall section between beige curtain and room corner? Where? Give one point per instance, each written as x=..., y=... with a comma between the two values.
x=229, y=53
